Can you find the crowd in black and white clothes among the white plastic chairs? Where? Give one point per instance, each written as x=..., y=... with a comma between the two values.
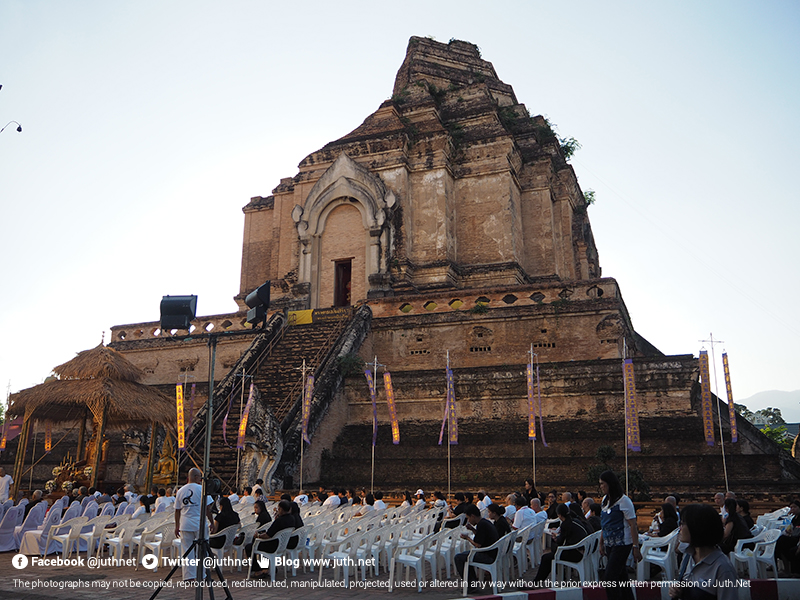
x=707, y=534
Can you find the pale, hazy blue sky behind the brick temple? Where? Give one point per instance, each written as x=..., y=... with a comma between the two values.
x=148, y=125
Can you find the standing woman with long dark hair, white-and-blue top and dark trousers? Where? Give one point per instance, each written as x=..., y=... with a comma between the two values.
x=619, y=535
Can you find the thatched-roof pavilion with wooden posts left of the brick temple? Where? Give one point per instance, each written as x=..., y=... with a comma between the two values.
x=102, y=381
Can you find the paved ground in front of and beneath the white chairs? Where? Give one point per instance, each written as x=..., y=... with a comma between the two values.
x=37, y=582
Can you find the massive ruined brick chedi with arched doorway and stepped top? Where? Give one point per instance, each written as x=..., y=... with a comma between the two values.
x=454, y=217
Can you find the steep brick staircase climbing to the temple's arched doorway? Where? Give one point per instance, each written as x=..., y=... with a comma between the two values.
x=278, y=382
